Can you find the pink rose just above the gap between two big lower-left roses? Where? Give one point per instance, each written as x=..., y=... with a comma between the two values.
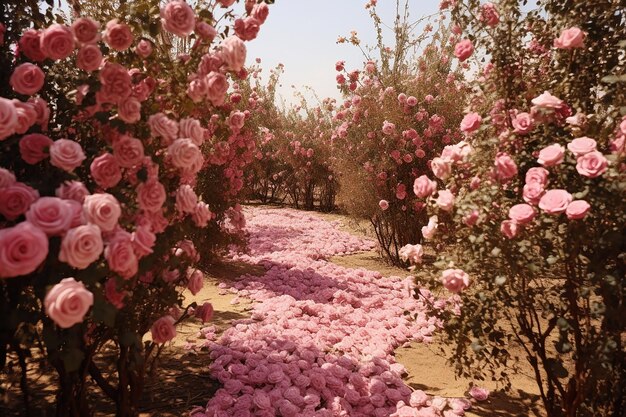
x=50, y=214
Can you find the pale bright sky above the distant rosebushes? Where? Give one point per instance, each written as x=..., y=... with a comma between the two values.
x=302, y=35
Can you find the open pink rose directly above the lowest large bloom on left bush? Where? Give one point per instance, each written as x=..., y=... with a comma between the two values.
x=81, y=246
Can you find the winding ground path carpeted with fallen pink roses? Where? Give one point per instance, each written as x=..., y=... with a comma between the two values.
x=321, y=337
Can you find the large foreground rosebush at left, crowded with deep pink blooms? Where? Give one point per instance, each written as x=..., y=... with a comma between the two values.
x=120, y=170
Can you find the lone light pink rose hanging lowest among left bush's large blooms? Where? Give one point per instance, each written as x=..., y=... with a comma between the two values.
x=68, y=302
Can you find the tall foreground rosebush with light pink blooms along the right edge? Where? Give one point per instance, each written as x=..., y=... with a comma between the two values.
x=538, y=208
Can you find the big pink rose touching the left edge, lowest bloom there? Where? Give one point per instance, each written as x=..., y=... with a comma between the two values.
x=22, y=249
